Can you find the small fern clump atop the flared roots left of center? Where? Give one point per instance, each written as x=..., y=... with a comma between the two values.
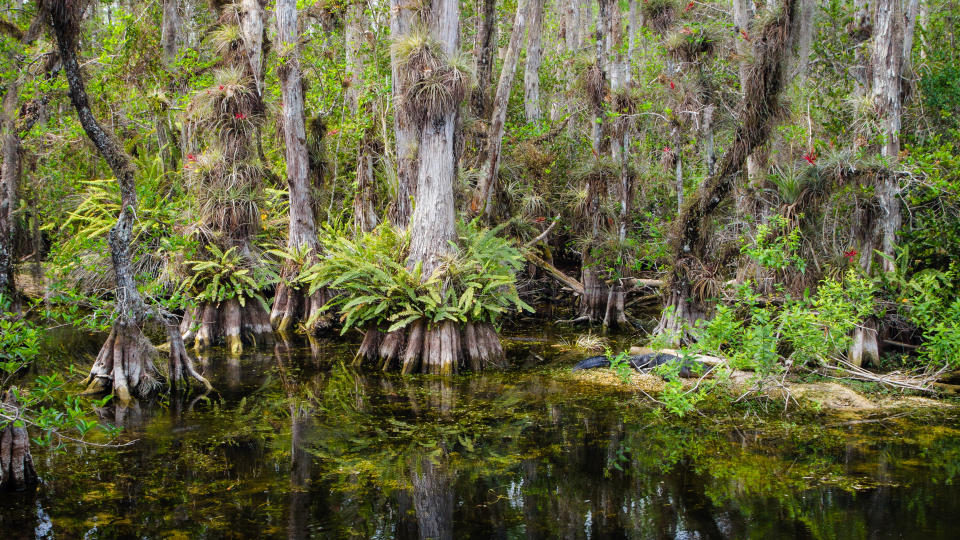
x=227, y=275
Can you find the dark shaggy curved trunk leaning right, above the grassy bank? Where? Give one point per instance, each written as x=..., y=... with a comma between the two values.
x=765, y=80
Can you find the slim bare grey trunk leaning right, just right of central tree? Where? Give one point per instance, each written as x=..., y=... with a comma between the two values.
x=481, y=203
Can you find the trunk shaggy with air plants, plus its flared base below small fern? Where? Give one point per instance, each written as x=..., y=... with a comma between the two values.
x=233, y=223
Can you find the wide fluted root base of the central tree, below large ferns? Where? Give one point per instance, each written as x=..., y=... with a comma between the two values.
x=444, y=349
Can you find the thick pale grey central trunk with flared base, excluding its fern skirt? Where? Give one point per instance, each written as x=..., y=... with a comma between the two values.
x=438, y=349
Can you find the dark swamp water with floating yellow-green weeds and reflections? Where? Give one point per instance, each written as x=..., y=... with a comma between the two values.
x=293, y=444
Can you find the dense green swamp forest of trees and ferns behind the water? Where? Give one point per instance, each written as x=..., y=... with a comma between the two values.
x=776, y=185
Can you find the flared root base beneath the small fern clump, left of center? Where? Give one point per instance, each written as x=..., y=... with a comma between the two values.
x=227, y=323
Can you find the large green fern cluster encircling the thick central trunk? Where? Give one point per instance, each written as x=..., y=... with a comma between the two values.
x=476, y=282
